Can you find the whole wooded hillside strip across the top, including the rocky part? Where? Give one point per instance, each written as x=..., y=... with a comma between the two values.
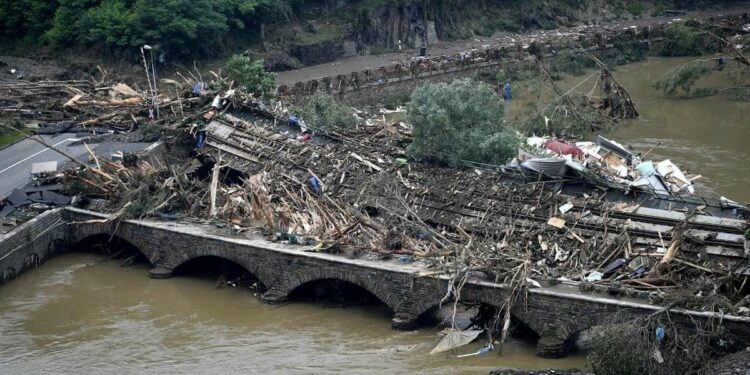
x=188, y=28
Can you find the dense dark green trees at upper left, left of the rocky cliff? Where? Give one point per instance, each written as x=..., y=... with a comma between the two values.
x=180, y=27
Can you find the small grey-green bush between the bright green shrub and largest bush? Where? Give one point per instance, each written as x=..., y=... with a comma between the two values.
x=323, y=112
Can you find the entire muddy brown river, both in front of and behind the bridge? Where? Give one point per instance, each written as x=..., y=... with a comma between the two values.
x=80, y=314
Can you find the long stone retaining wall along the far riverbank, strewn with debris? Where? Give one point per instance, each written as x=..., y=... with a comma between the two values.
x=361, y=87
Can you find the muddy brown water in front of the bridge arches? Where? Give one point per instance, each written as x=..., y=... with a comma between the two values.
x=78, y=314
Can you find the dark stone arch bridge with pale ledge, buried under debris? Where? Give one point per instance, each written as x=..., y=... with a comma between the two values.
x=555, y=313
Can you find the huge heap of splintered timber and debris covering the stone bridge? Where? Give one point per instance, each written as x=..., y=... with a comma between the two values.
x=353, y=191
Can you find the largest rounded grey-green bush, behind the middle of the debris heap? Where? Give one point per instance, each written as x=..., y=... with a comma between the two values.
x=459, y=121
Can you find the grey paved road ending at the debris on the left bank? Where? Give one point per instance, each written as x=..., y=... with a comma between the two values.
x=16, y=160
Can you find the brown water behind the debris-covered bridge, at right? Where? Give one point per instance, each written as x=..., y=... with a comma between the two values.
x=708, y=136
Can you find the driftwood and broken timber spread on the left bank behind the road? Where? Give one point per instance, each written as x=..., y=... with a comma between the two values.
x=92, y=107
